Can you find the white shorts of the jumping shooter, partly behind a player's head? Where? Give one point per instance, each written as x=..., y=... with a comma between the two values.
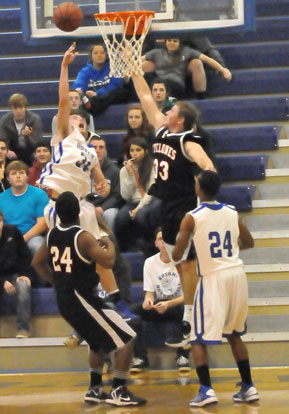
x=87, y=217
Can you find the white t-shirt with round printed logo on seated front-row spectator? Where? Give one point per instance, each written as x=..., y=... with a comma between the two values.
x=161, y=278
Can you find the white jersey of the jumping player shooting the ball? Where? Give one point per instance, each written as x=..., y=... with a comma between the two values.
x=70, y=167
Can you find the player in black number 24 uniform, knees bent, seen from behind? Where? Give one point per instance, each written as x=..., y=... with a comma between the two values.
x=73, y=253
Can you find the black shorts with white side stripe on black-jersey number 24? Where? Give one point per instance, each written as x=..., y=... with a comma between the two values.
x=102, y=327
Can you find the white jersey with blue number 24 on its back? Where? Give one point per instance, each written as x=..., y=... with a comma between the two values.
x=215, y=237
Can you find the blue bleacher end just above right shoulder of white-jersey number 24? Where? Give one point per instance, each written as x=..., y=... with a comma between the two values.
x=240, y=196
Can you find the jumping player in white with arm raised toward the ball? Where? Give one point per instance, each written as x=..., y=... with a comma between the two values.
x=73, y=164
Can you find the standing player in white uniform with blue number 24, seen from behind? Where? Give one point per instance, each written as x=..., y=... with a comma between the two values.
x=220, y=303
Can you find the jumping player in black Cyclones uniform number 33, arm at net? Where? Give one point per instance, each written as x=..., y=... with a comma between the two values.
x=178, y=156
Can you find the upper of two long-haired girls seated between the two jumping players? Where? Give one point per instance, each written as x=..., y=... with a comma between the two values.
x=137, y=125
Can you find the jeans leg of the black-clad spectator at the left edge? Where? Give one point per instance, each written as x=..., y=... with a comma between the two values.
x=23, y=303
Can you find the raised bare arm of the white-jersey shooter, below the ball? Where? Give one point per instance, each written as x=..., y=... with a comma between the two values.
x=62, y=127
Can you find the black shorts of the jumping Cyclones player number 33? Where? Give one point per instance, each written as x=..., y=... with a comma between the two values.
x=173, y=211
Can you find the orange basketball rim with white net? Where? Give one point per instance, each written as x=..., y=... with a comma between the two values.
x=124, y=50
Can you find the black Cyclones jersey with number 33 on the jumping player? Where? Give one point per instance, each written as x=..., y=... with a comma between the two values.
x=173, y=168
